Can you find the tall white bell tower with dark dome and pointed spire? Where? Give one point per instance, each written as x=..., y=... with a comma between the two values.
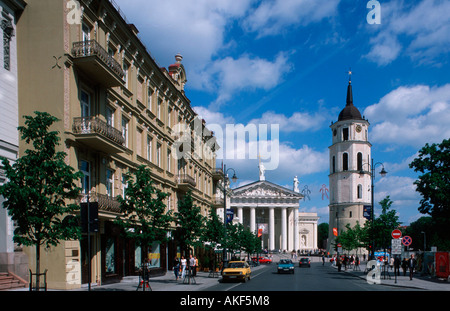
x=350, y=153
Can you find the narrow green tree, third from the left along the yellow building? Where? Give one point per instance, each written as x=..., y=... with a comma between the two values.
x=190, y=223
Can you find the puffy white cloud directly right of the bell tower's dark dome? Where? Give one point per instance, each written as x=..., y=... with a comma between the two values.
x=411, y=116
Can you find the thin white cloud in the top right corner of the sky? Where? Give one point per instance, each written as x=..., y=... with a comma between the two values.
x=418, y=30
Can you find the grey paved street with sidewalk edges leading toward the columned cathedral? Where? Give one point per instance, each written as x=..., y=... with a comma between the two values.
x=265, y=278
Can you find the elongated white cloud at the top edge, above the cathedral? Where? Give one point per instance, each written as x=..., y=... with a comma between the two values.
x=273, y=17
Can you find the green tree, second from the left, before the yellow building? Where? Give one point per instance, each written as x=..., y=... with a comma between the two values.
x=143, y=212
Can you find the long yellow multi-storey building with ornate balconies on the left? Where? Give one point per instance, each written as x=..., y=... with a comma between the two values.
x=118, y=110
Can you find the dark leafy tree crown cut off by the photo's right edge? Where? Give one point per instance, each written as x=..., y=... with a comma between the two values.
x=433, y=162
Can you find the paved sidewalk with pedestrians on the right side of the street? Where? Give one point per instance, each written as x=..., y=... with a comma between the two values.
x=418, y=281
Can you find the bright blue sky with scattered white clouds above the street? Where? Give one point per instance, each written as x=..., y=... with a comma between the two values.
x=285, y=62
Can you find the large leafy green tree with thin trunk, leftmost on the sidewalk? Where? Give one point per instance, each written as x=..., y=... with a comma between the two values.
x=39, y=185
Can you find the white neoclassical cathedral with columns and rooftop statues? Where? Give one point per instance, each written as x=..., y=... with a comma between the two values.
x=275, y=209
